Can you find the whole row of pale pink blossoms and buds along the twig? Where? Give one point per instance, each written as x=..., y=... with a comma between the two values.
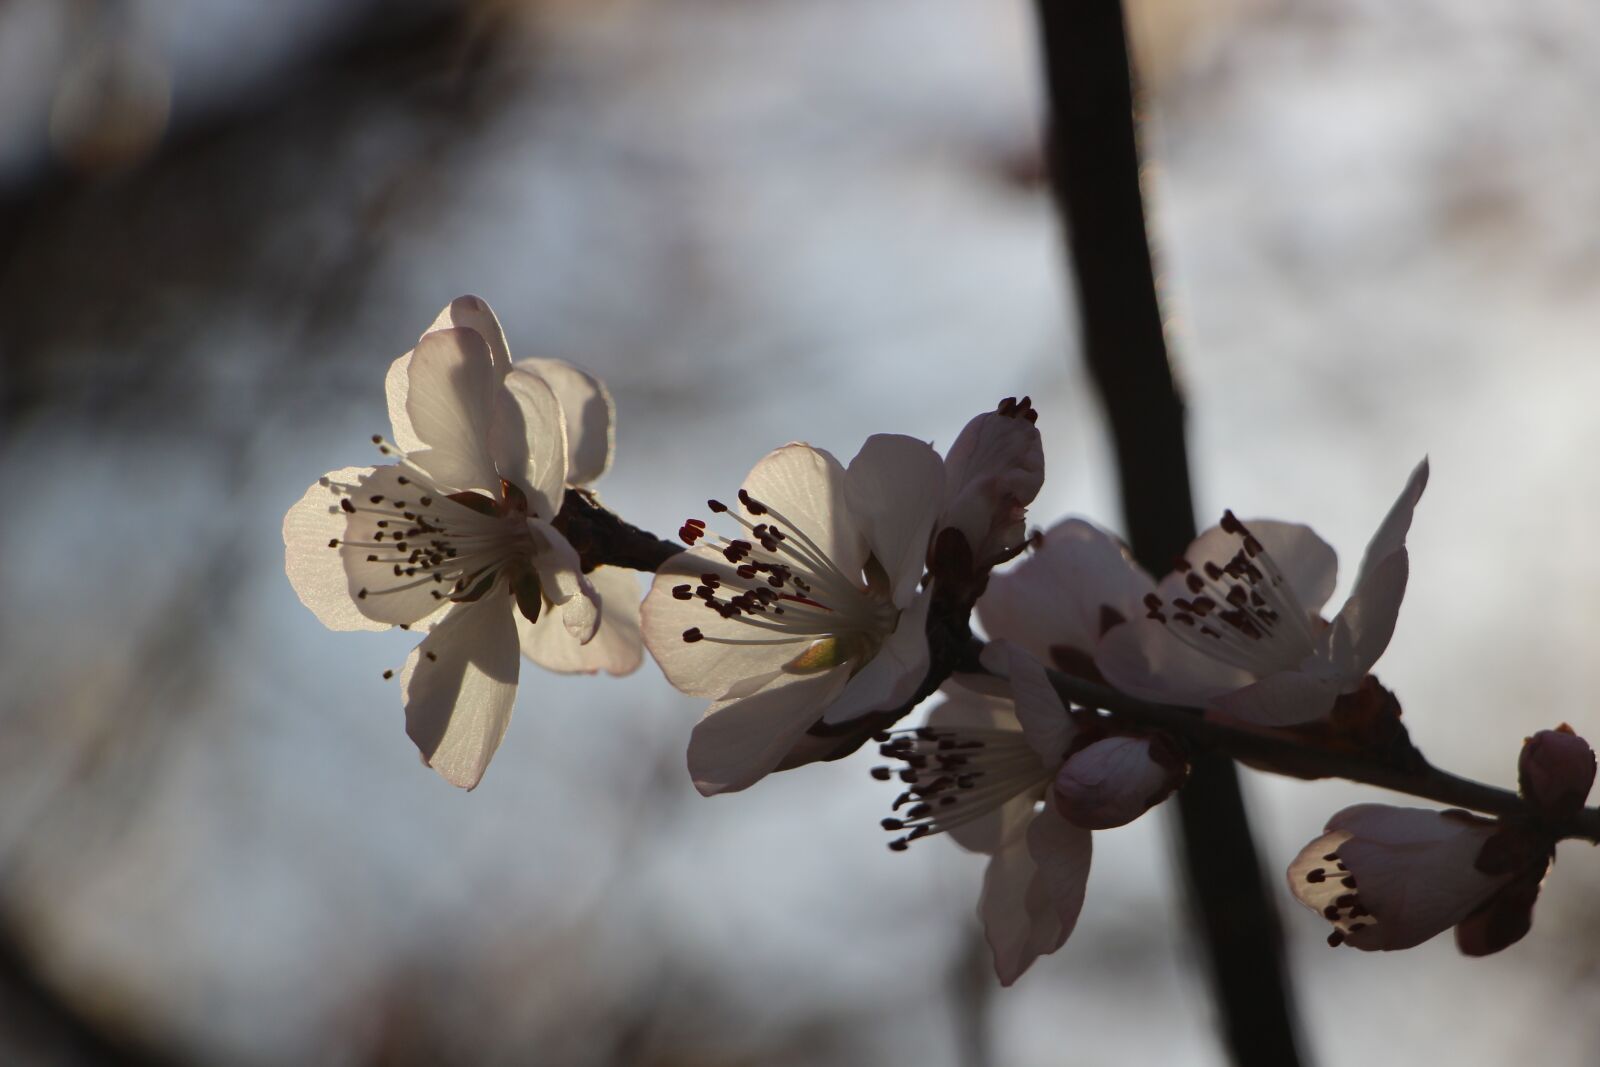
x=825, y=601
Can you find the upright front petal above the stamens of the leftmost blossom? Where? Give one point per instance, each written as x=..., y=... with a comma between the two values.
x=450, y=401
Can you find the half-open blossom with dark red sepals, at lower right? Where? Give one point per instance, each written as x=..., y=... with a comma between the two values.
x=1394, y=877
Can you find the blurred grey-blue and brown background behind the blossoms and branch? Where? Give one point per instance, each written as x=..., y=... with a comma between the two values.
x=818, y=220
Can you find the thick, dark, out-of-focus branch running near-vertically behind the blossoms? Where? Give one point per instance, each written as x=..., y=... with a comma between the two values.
x=1095, y=170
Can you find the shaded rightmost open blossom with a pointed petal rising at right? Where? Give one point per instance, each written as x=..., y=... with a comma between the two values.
x=1236, y=626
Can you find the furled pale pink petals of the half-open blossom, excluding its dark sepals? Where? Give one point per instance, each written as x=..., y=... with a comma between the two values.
x=1398, y=877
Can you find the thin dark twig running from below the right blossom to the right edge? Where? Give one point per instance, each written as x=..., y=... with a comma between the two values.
x=1286, y=754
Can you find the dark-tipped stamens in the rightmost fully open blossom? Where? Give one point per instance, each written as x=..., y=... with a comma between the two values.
x=1242, y=612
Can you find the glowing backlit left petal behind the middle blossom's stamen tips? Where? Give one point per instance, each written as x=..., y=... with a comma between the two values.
x=724, y=658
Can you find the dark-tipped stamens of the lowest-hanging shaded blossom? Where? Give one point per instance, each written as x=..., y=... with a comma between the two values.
x=954, y=777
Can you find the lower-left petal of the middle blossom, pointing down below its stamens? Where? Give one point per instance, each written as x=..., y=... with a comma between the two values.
x=742, y=741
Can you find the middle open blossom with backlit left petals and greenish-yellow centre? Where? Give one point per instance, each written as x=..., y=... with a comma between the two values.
x=814, y=617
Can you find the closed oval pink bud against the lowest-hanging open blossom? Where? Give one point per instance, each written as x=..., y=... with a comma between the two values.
x=1114, y=781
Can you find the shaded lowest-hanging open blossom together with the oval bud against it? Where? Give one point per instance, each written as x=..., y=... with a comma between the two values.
x=1010, y=773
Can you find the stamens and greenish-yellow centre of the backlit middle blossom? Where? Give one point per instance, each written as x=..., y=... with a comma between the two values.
x=783, y=586
